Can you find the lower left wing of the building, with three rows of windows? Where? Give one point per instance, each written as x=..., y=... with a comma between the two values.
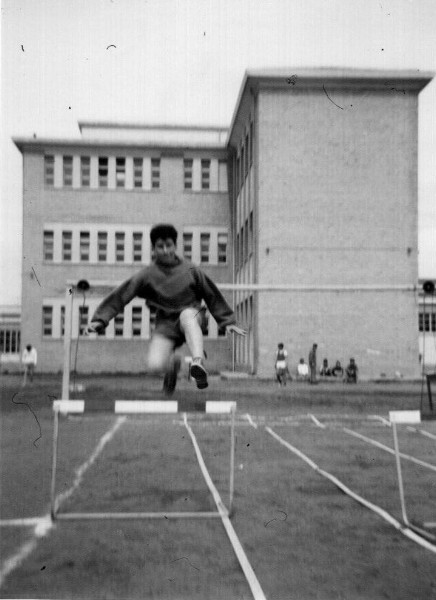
x=89, y=205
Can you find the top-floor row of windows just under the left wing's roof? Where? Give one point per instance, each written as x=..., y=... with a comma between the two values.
x=112, y=172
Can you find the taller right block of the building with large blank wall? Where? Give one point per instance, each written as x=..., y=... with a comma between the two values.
x=324, y=209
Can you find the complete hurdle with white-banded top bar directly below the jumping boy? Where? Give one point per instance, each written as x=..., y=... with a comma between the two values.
x=143, y=407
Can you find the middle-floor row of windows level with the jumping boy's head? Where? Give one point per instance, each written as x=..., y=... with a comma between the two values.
x=116, y=245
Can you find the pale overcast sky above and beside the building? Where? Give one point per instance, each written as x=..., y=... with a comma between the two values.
x=182, y=62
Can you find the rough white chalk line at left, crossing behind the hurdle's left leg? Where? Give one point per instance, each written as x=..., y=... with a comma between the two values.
x=44, y=524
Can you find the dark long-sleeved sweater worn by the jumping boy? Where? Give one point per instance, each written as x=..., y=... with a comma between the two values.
x=169, y=288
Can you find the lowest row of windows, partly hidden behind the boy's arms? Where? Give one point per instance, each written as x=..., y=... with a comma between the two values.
x=137, y=321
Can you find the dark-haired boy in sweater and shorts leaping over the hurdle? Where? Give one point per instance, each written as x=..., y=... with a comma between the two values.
x=176, y=288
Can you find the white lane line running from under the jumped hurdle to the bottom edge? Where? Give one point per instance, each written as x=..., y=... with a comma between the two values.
x=234, y=540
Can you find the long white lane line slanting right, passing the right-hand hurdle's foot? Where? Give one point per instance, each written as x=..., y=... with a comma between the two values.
x=377, y=509
